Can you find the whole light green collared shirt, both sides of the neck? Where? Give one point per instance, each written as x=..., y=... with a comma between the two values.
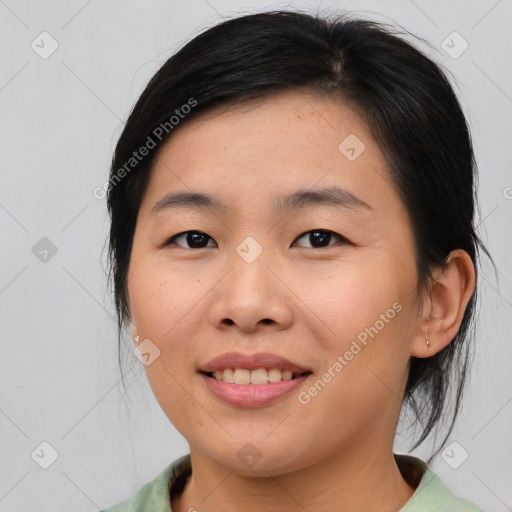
x=431, y=493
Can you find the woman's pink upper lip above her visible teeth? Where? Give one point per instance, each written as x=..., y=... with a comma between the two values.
x=251, y=362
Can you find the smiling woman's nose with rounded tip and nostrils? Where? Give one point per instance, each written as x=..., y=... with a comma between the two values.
x=252, y=298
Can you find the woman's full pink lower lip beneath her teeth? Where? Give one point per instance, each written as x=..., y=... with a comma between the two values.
x=251, y=395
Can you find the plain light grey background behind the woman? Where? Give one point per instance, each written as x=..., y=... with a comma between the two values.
x=60, y=118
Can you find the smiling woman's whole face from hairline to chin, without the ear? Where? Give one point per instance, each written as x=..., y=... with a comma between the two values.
x=326, y=281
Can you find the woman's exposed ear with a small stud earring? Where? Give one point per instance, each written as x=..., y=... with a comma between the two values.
x=443, y=309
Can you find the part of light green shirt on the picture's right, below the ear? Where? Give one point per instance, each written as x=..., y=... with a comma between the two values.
x=431, y=494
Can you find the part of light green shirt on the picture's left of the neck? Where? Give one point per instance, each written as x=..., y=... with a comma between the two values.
x=155, y=495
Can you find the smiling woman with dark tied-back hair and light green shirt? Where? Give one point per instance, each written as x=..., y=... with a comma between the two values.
x=292, y=244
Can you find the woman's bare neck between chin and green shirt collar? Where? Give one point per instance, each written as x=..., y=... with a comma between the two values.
x=354, y=480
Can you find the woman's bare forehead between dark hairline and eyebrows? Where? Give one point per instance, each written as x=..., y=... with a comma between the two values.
x=270, y=147
